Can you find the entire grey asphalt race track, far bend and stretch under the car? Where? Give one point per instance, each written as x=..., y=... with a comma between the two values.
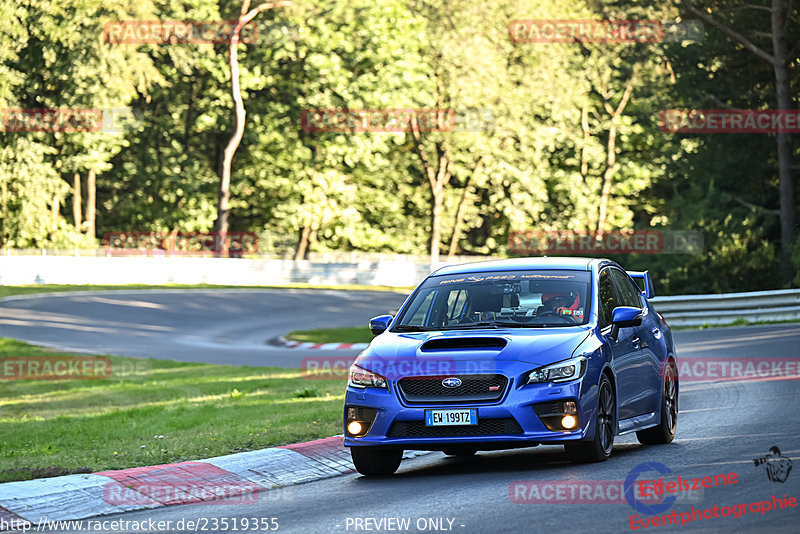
x=723, y=426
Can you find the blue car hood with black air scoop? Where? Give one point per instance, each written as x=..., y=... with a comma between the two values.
x=419, y=350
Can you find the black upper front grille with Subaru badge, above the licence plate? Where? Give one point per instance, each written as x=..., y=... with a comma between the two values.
x=473, y=388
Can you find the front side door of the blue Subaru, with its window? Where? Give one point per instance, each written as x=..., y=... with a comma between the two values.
x=625, y=357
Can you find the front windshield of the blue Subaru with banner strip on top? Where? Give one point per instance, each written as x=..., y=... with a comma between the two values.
x=515, y=299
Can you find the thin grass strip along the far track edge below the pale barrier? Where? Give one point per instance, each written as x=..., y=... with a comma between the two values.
x=7, y=291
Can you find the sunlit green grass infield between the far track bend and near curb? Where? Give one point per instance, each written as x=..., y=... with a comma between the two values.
x=153, y=412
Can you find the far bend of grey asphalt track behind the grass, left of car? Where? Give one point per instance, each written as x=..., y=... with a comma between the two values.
x=211, y=326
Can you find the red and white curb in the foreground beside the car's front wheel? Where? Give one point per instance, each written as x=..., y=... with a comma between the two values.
x=237, y=479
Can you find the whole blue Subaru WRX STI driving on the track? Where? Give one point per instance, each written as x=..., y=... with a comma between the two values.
x=514, y=353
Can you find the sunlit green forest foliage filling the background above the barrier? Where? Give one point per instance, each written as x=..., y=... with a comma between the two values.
x=538, y=162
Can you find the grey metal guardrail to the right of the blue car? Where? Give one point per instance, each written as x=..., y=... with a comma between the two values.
x=697, y=310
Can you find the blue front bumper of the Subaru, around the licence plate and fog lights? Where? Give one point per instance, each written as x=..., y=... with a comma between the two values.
x=516, y=404
